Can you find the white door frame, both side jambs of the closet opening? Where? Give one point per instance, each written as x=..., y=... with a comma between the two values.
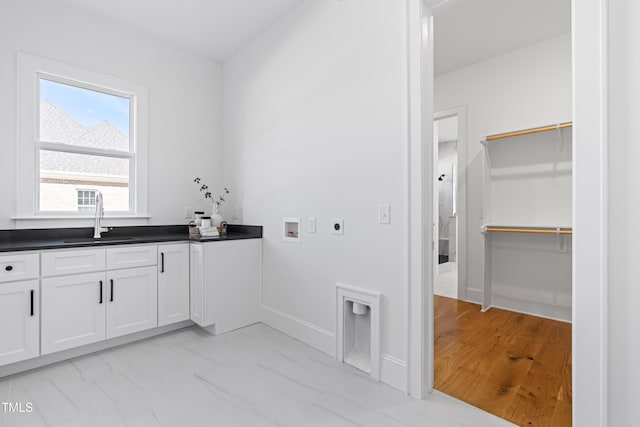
x=590, y=41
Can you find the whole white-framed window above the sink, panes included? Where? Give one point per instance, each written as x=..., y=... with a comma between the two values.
x=80, y=132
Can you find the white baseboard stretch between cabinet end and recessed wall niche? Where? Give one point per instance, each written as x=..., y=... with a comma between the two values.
x=304, y=331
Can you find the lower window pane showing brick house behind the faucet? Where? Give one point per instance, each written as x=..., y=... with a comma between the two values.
x=68, y=181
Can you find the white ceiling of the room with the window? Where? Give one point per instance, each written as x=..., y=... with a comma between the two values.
x=214, y=28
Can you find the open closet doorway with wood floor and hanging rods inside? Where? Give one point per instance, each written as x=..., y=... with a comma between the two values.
x=504, y=343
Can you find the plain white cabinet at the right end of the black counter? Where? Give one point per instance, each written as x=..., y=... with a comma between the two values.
x=225, y=283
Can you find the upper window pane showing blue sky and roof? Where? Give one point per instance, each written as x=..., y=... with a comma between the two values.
x=83, y=117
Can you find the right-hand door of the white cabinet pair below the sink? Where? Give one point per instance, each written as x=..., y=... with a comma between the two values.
x=132, y=300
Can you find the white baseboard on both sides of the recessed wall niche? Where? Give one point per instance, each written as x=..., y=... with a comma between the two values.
x=393, y=371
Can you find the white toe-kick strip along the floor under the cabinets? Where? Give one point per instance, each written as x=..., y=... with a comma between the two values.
x=60, y=356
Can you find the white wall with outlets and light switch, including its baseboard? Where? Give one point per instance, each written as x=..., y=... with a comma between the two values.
x=315, y=125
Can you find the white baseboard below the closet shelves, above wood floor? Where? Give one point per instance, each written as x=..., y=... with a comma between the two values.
x=532, y=306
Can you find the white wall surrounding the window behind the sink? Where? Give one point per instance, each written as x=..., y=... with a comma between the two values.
x=184, y=98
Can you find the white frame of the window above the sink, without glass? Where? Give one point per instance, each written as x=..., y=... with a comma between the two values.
x=30, y=70
